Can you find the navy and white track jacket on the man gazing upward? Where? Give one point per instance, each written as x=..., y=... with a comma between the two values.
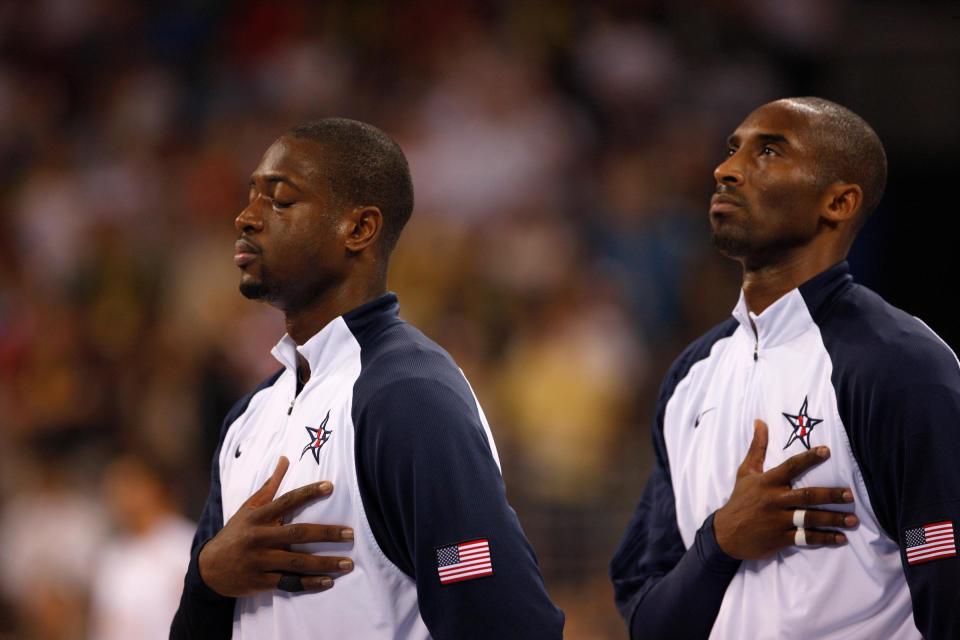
x=830, y=363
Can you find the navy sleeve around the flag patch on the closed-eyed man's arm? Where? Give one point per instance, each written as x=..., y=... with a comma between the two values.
x=428, y=480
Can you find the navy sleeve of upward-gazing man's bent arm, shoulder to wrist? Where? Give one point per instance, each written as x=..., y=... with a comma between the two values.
x=662, y=589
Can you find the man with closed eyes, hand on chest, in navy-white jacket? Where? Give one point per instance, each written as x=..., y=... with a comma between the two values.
x=375, y=428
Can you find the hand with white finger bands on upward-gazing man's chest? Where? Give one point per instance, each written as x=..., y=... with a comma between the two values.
x=757, y=521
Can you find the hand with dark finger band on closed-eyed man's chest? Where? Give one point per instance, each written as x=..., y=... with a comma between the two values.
x=250, y=553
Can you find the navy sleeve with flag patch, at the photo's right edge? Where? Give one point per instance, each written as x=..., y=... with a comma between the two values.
x=899, y=398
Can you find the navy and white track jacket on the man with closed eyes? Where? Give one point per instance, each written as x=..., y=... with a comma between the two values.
x=388, y=418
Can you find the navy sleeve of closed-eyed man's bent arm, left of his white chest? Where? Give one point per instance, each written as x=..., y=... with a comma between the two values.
x=204, y=614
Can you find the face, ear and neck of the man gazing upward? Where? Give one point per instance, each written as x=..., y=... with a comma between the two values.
x=772, y=212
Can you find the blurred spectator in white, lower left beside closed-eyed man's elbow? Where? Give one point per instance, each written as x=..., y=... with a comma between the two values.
x=138, y=576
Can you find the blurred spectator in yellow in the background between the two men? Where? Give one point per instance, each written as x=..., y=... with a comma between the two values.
x=566, y=389
